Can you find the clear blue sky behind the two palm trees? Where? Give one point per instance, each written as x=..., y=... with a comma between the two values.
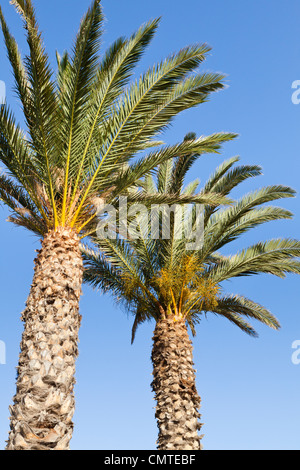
x=249, y=387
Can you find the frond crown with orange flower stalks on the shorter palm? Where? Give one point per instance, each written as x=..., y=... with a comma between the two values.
x=155, y=277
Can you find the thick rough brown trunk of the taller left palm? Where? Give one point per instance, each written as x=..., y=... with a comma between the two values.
x=41, y=416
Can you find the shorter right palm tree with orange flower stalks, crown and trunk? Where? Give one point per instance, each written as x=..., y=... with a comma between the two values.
x=174, y=284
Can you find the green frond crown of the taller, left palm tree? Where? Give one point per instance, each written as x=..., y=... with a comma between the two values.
x=85, y=124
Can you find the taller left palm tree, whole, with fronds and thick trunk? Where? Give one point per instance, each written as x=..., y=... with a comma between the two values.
x=83, y=127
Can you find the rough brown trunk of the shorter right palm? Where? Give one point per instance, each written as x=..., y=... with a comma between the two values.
x=174, y=386
